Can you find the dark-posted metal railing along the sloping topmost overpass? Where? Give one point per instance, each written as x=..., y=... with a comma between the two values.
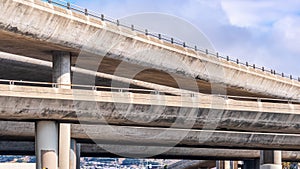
x=85, y=11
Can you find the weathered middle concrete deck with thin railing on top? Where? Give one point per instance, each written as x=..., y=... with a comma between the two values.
x=38, y=103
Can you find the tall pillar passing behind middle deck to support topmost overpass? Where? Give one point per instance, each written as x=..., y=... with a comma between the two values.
x=62, y=76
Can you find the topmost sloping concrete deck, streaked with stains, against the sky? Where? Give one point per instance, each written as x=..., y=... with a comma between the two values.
x=34, y=28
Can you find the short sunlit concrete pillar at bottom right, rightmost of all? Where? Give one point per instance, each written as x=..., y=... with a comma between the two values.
x=270, y=159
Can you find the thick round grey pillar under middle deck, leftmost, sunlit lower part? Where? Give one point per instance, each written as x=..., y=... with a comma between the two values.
x=46, y=140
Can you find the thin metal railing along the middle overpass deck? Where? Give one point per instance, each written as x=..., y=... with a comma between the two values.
x=134, y=90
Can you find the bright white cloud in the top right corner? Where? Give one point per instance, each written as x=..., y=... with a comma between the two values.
x=258, y=13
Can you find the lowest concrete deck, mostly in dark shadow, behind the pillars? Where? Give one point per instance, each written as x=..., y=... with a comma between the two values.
x=93, y=150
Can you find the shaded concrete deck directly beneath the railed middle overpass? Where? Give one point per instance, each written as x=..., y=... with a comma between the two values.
x=149, y=136
